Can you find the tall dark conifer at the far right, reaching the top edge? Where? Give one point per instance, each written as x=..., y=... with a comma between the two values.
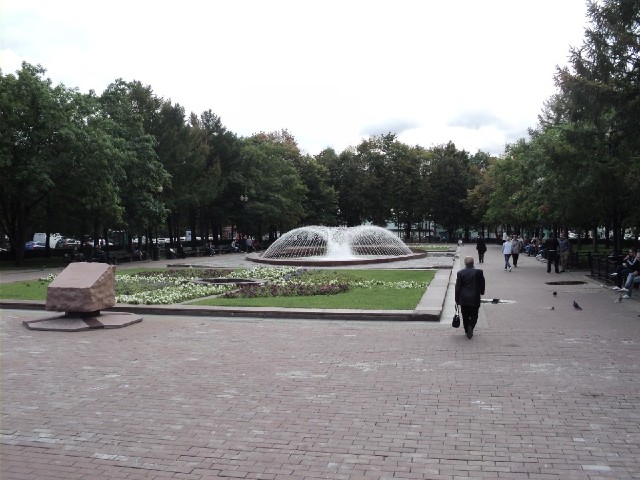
x=600, y=97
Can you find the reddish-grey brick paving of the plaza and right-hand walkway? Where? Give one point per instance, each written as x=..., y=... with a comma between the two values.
x=542, y=391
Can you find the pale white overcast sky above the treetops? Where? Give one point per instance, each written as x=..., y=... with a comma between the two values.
x=474, y=72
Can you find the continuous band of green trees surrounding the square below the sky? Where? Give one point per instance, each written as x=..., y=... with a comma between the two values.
x=128, y=160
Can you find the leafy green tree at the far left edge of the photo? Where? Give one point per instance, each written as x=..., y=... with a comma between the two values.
x=33, y=116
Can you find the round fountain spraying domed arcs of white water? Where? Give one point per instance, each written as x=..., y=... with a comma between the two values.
x=334, y=246
